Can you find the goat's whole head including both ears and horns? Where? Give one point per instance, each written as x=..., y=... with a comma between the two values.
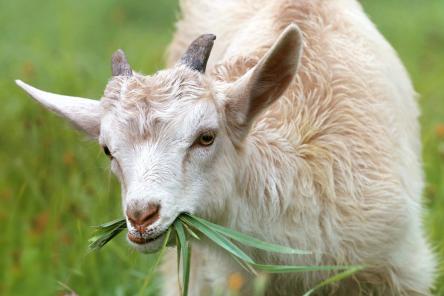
x=173, y=138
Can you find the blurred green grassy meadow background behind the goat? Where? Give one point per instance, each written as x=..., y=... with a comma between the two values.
x=55, y=184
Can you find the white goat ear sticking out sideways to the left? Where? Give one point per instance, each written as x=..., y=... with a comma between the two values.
x=83, y=113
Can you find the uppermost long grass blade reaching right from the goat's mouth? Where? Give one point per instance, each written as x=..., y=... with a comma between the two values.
x=249, y=240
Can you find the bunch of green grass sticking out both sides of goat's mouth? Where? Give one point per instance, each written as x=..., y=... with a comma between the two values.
x=187, y=228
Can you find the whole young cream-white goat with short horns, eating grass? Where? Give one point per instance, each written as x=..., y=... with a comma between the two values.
x=302, y=134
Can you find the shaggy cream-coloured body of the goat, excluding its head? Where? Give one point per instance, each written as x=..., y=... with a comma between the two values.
x=334, y=165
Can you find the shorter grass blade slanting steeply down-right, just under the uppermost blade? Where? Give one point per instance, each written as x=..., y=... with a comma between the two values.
x=220, y=240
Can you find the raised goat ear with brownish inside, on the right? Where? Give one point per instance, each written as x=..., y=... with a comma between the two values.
x=264, y=83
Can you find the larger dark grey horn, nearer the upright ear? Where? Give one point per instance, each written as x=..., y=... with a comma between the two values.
x=197, y=54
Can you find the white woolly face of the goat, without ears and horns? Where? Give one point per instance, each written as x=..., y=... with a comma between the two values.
x=168, y=147
